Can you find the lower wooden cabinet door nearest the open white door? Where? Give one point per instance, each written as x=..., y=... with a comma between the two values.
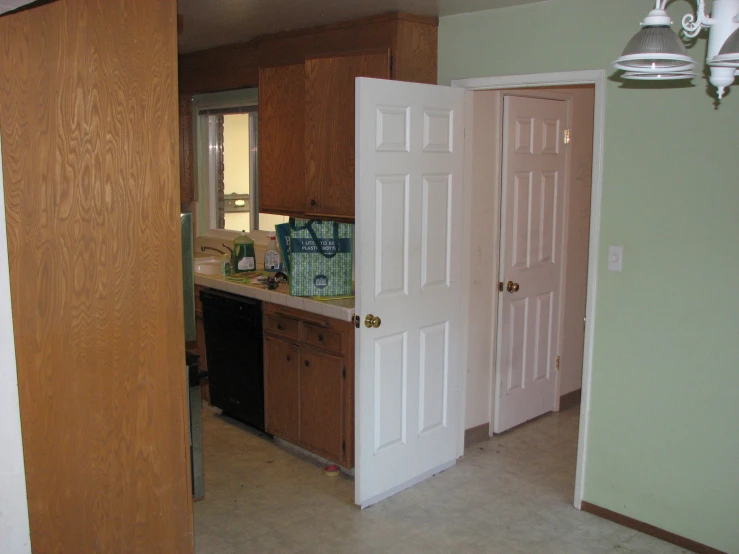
x=321, y=404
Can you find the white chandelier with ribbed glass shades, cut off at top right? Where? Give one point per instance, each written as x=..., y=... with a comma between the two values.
x=656, y=53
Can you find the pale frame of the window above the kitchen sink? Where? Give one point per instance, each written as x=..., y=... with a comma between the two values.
x=201, y=141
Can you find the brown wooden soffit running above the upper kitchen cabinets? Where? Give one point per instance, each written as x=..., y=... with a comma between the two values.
x=237, y=65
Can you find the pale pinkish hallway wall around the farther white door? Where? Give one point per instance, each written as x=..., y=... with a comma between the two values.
x=484, y=125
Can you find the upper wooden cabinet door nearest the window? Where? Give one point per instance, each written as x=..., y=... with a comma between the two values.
x=282, y=139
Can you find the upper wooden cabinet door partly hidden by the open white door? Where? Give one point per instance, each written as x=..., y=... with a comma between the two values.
x=329, y=129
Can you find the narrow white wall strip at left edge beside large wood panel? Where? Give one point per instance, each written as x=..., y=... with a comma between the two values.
x=14, y=531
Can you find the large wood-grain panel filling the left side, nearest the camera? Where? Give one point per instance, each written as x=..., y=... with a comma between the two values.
x=88, y=116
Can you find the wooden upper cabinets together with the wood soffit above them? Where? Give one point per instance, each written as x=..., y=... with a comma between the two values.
x=306, y=101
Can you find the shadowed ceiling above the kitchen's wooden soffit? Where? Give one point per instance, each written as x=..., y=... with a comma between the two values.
x=208, y=23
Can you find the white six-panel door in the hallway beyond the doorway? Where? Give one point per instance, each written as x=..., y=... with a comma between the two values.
x=534, y=163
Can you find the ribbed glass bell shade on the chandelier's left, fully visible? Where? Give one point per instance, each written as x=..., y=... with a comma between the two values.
x=655, y=50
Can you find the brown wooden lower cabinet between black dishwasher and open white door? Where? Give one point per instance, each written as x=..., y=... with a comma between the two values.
x=309, y=382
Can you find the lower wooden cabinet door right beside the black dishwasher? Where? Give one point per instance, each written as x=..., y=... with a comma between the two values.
x=281, y=381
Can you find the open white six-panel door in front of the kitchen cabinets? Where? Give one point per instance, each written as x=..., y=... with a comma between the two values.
x=409, y=165
